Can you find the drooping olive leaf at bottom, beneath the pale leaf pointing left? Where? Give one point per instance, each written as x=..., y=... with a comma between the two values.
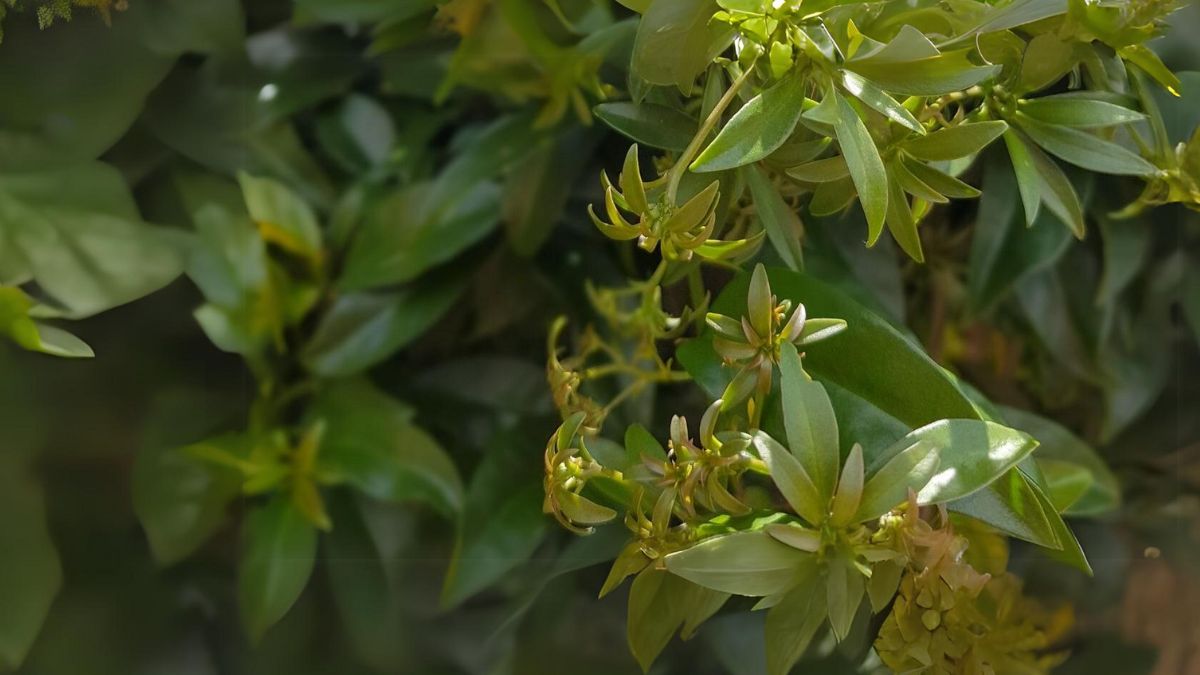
x=659, y=605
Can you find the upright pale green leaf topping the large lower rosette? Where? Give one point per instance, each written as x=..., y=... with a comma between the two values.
x=811, y=423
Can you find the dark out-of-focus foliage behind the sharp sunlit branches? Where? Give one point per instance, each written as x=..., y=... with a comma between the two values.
x=367, y=114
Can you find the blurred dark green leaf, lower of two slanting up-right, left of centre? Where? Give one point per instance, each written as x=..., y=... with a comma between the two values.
x=365, y=328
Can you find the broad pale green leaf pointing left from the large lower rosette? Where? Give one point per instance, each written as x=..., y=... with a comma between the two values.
x=743, y=564
